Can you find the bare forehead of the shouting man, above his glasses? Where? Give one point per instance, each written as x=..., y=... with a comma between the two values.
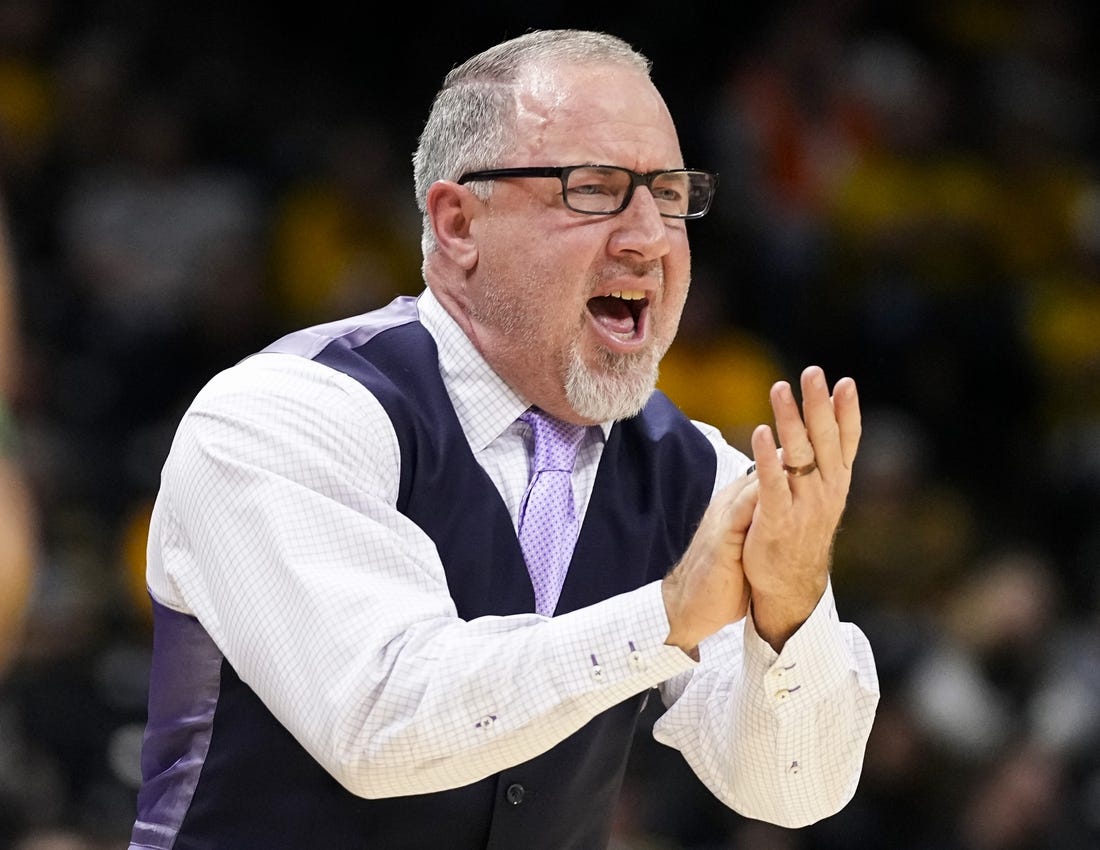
x=595, y=114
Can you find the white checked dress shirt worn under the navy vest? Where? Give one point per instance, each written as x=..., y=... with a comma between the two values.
x=277, y=527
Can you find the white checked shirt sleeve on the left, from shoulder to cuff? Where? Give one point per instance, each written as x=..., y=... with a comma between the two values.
x=276, y=527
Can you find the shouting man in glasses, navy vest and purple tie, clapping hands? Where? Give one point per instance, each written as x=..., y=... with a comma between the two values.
x=349, y=650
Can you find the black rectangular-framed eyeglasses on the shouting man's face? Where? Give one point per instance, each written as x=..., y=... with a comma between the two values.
x=608, y=190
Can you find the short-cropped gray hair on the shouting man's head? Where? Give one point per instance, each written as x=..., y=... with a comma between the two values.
x=471, y=126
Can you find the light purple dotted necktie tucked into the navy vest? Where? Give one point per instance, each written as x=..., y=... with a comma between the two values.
x=547, y=523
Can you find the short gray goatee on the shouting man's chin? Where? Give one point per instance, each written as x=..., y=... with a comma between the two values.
x=618, y=389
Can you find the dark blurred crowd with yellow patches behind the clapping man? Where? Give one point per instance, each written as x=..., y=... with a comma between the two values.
x=909, y=195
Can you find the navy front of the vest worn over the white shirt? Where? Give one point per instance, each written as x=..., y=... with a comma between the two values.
x=260, y=790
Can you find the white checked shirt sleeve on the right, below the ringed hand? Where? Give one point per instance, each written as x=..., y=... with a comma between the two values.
x=777, y=737
